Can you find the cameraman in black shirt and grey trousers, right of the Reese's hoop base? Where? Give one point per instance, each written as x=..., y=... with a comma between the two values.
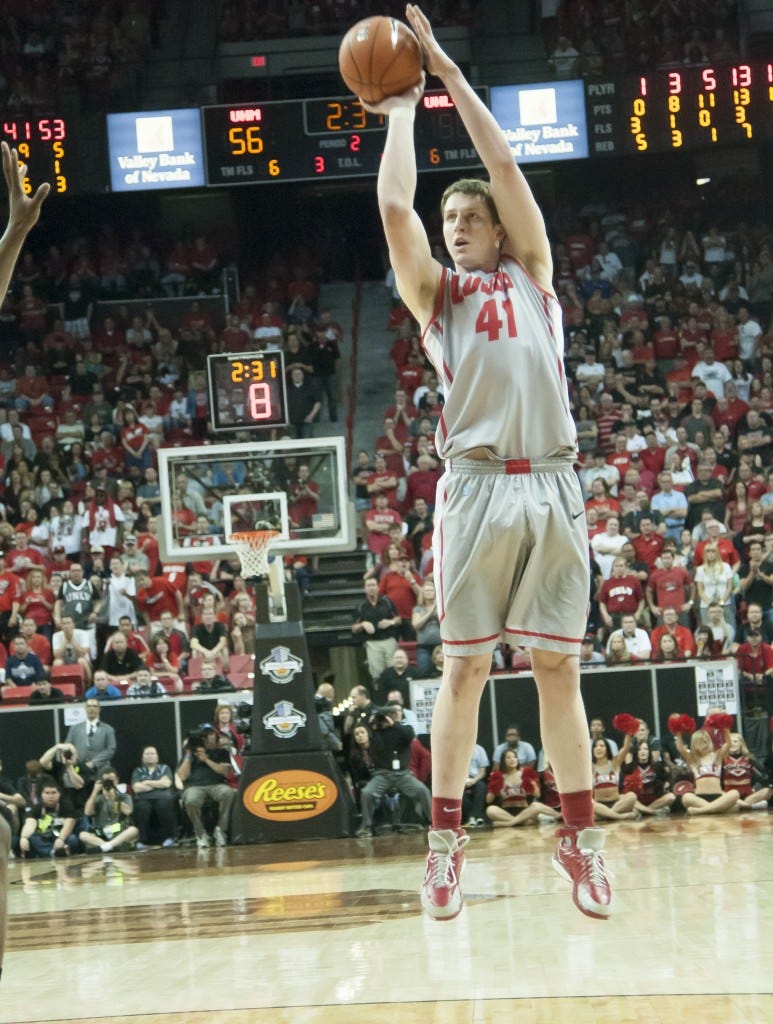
x=391, y=750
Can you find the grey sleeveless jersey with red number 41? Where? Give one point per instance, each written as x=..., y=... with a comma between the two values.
x=497, y=344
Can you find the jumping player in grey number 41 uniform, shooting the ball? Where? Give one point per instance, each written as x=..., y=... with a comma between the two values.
x=510, y=541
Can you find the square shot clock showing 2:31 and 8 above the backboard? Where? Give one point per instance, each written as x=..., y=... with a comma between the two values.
x=247, y=391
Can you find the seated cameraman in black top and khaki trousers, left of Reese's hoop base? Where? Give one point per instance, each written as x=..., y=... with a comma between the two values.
x=203, y=772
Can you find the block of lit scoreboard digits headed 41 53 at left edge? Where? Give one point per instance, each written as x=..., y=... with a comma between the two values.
x=44, y=145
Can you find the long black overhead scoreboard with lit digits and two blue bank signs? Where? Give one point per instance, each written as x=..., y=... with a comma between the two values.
x=680, y=110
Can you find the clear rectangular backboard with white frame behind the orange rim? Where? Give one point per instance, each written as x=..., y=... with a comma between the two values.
x=300, y=488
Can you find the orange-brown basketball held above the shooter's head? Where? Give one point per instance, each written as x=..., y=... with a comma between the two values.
x=379, y=58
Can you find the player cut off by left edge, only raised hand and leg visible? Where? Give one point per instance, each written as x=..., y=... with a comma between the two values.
x=23, y=216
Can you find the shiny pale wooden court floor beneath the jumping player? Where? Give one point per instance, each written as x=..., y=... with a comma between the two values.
x=316, y=933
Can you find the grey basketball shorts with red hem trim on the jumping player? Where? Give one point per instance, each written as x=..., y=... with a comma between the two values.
x=511, y=561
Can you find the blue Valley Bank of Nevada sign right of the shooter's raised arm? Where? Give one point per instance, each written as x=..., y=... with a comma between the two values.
x=542, y=122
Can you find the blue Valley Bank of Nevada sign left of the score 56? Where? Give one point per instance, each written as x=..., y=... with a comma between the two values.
x=156, y=150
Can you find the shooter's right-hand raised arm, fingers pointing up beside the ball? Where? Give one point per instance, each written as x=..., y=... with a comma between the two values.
x=521, y=217
